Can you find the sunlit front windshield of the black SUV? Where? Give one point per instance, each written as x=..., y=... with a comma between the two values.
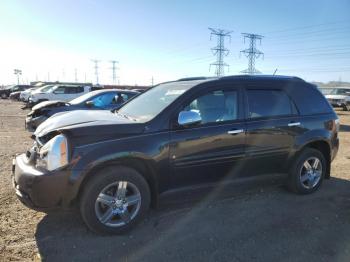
x=149, y=104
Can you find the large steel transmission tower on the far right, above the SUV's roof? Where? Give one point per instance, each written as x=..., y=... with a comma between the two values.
x=252, y=53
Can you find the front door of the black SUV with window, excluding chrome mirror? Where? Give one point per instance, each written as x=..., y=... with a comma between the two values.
x=211, y=150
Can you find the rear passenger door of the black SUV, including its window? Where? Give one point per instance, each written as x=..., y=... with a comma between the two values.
x=272, y=125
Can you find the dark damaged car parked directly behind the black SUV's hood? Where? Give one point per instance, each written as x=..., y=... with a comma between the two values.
x=95, y=100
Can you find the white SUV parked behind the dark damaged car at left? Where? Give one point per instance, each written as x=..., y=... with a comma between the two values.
x=58, y=92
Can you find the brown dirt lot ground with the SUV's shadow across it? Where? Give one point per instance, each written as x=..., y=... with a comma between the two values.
x=263, y=224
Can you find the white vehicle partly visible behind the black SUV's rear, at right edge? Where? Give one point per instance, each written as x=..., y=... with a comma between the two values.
x=338, y=96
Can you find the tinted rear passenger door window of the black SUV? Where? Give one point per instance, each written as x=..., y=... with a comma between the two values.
x=267, y=103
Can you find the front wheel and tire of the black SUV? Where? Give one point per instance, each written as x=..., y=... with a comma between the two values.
x=114, y=200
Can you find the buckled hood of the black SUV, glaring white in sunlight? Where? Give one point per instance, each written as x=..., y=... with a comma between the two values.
x=82, y=119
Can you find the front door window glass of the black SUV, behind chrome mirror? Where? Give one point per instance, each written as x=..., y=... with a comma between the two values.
x=216, y=106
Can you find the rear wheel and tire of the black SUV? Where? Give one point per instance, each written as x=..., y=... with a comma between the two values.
x=307, y=171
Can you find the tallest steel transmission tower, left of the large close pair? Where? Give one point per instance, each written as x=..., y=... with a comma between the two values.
x=220, y=51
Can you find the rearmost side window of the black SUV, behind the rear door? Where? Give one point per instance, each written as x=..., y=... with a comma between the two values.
x=310, y=101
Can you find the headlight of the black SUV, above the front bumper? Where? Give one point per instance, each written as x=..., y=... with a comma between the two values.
x=54, y=154
